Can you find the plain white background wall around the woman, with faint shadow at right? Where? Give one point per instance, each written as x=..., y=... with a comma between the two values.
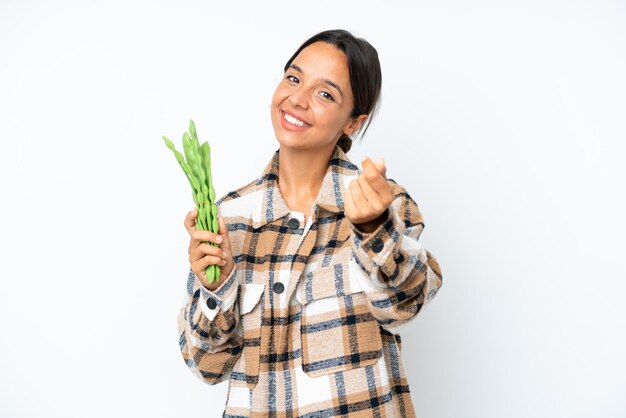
x=505, y=120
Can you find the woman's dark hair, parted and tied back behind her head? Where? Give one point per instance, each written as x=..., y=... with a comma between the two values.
x=363, y=69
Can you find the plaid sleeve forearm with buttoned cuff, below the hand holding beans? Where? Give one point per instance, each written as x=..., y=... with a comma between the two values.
x=208, y=325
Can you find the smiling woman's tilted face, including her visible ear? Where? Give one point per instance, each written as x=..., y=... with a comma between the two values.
x=312, y=104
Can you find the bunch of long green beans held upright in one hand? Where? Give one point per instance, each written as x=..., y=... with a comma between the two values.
x=197, y=168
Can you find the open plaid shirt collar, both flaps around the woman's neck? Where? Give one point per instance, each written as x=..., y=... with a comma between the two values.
x=339, y=173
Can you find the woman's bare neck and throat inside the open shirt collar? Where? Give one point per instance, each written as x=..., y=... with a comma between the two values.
x=300, y=175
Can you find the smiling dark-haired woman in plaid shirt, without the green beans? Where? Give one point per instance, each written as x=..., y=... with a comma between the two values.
x=319, y=261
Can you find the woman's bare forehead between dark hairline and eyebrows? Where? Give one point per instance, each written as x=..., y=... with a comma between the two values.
x=323, y=60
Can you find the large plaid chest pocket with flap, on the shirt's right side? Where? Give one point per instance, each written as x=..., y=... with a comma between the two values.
x=338, y=332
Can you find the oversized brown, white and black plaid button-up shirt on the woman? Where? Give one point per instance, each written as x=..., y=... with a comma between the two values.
x=301, y=326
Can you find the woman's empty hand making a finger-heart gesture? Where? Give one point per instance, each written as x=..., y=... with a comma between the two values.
x=368, y=198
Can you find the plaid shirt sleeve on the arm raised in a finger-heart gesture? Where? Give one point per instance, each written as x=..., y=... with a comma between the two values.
x=400, y=276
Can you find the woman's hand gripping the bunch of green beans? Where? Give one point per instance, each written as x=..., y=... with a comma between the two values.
x=202, y=255
